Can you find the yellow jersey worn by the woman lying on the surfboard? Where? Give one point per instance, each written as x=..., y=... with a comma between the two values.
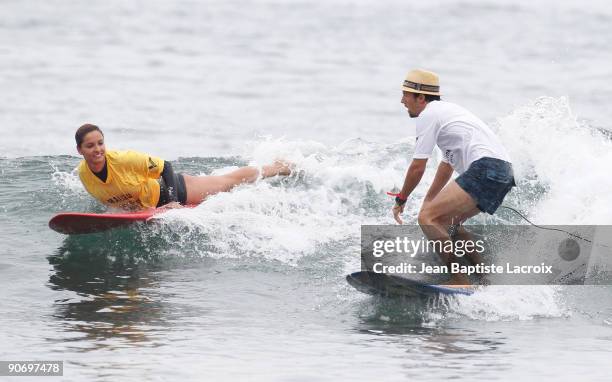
x=131, y=181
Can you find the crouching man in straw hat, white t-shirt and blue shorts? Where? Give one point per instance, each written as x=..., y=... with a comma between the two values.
x=468, y=147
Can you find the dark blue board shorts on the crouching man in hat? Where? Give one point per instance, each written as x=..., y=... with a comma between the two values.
x=487, y=180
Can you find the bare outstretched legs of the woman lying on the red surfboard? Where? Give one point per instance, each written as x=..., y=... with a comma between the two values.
x=200, y=187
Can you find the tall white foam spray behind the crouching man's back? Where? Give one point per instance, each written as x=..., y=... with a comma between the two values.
x=566, y=158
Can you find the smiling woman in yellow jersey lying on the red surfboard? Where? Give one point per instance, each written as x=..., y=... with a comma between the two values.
x=132, y=180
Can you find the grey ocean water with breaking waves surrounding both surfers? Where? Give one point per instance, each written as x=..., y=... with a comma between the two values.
x=250, y=284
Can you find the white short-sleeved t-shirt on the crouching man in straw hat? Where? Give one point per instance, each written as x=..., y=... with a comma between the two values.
x=461, y=136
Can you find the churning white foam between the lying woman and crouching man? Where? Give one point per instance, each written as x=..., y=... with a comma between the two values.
x=324, y=202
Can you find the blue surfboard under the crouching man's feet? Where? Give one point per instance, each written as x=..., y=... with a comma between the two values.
x=390, y=285
